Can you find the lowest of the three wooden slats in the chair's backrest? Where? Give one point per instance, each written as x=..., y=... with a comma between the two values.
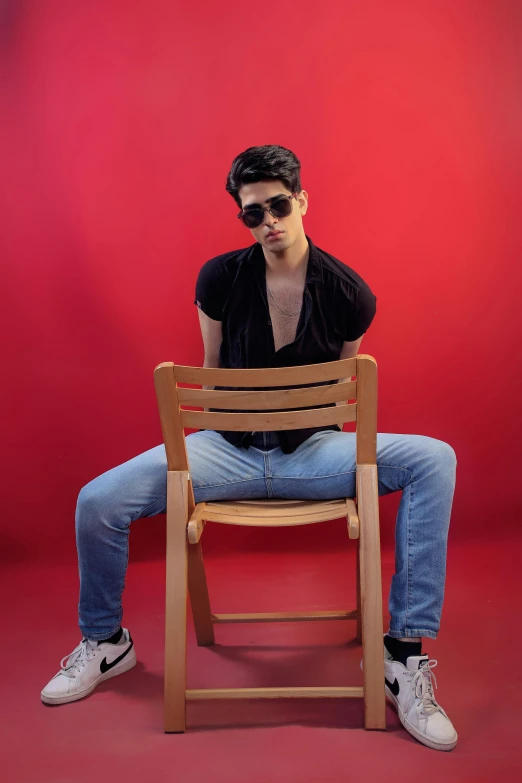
x=262, y=422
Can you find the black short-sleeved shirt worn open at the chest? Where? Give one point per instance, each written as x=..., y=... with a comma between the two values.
x=338, y=307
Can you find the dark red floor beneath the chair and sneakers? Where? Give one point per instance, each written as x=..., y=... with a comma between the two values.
x=117, y=732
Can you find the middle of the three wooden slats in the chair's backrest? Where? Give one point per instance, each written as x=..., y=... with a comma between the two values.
x=268, y=400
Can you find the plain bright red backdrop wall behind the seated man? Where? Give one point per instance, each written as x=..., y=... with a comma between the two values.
x=118, y=124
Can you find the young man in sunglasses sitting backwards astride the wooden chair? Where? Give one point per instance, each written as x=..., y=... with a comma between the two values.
x=279, y=302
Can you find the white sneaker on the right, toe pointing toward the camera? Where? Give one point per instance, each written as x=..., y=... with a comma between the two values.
x=410, y=688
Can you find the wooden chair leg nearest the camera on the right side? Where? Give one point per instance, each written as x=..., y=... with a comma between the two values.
x=371, y=597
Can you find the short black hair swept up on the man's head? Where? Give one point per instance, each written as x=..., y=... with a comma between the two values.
x=268, y=162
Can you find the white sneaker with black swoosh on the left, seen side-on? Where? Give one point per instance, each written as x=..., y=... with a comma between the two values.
x=89, y=664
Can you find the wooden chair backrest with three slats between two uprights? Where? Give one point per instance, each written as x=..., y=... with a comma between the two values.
x=275, y=409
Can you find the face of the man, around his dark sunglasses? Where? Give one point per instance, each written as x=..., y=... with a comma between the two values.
x=275, y=234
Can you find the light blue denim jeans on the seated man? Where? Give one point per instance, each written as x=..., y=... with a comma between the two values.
x=322, y=467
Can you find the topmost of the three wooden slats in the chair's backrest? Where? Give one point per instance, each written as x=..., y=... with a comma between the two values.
x=278, y=376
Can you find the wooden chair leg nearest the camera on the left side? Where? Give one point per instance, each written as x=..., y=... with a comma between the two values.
x=176, y=601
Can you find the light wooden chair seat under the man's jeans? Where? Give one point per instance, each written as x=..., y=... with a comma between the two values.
x=272, y=513
